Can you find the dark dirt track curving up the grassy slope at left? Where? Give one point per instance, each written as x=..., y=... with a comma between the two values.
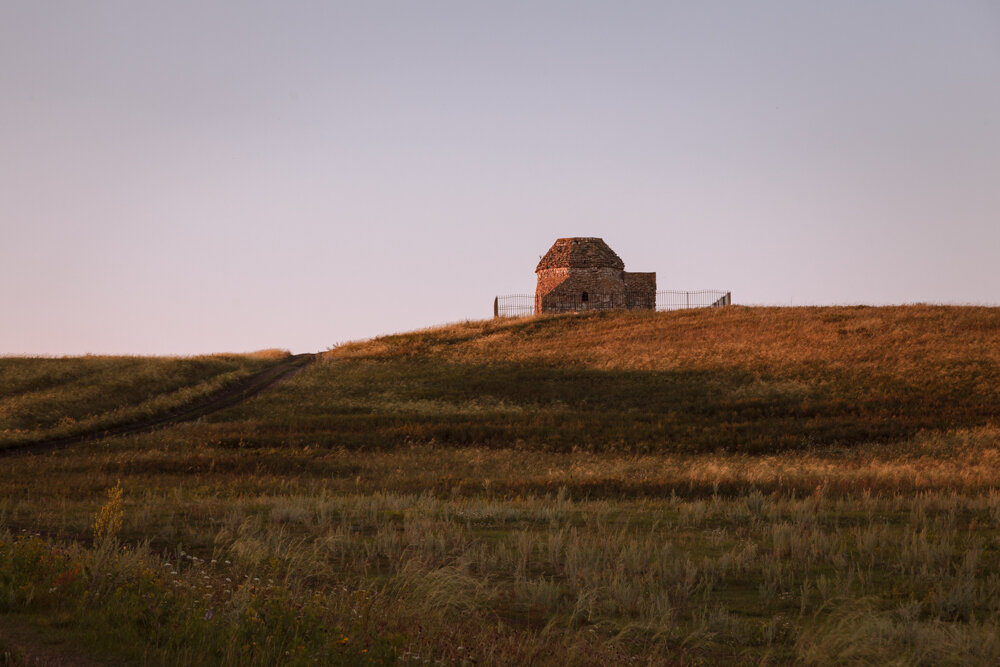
x=226, y=397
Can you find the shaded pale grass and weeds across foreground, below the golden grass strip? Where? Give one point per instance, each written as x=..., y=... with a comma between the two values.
x=730, y=579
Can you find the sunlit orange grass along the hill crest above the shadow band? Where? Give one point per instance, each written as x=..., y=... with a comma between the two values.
x=901, y=339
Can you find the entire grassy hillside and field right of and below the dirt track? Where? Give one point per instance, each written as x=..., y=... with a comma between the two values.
x=724, y=486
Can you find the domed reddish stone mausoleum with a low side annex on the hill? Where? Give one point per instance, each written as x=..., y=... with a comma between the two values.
x=583, y=273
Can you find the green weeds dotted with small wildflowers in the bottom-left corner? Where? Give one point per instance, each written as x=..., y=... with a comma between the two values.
x=127, y=603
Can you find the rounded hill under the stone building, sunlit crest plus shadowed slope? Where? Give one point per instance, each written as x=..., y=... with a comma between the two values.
x=752, y=380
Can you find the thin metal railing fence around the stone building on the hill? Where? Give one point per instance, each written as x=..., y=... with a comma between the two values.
x=520, y=305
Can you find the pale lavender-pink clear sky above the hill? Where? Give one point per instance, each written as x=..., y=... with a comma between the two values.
x=193, y=177
